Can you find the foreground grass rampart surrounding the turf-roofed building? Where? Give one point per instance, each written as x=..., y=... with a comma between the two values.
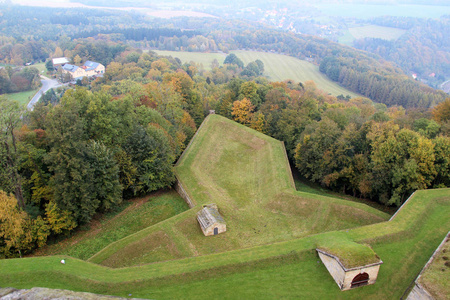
x=288, y=269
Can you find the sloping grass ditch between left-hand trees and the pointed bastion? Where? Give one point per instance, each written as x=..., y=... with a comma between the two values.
x=139, y=214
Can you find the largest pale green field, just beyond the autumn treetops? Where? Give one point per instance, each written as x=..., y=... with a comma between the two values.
x=277, y=67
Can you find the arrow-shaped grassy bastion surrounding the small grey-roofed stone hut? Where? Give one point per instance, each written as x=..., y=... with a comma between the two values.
x=247, y=175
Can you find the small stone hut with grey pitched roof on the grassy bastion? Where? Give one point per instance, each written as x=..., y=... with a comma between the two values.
x=210, y=220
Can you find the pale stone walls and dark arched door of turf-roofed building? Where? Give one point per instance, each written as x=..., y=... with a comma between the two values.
x=348, y=278
